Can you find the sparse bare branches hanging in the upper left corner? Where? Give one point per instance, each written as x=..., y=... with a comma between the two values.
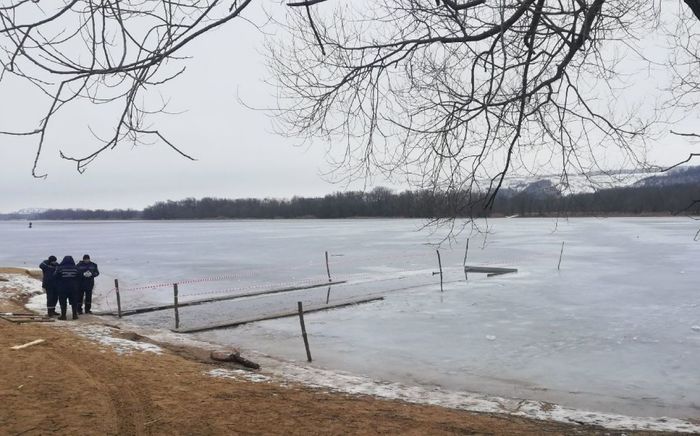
x=108, y=52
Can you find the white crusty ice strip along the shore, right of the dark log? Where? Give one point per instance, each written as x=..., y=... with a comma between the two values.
x=346, y=383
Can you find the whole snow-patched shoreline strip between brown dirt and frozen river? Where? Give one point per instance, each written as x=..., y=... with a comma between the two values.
x=347, y=384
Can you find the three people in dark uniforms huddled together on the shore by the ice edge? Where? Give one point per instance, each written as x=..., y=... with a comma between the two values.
x=68, y=282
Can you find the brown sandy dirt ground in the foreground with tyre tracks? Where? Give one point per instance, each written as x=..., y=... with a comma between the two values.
x=70, y=385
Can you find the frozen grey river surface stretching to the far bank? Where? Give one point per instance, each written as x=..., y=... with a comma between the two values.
x=616, y=329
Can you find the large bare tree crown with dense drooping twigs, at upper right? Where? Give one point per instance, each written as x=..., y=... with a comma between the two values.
x=451, y=93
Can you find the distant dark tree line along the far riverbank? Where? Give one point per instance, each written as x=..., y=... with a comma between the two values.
x=540, y=199
